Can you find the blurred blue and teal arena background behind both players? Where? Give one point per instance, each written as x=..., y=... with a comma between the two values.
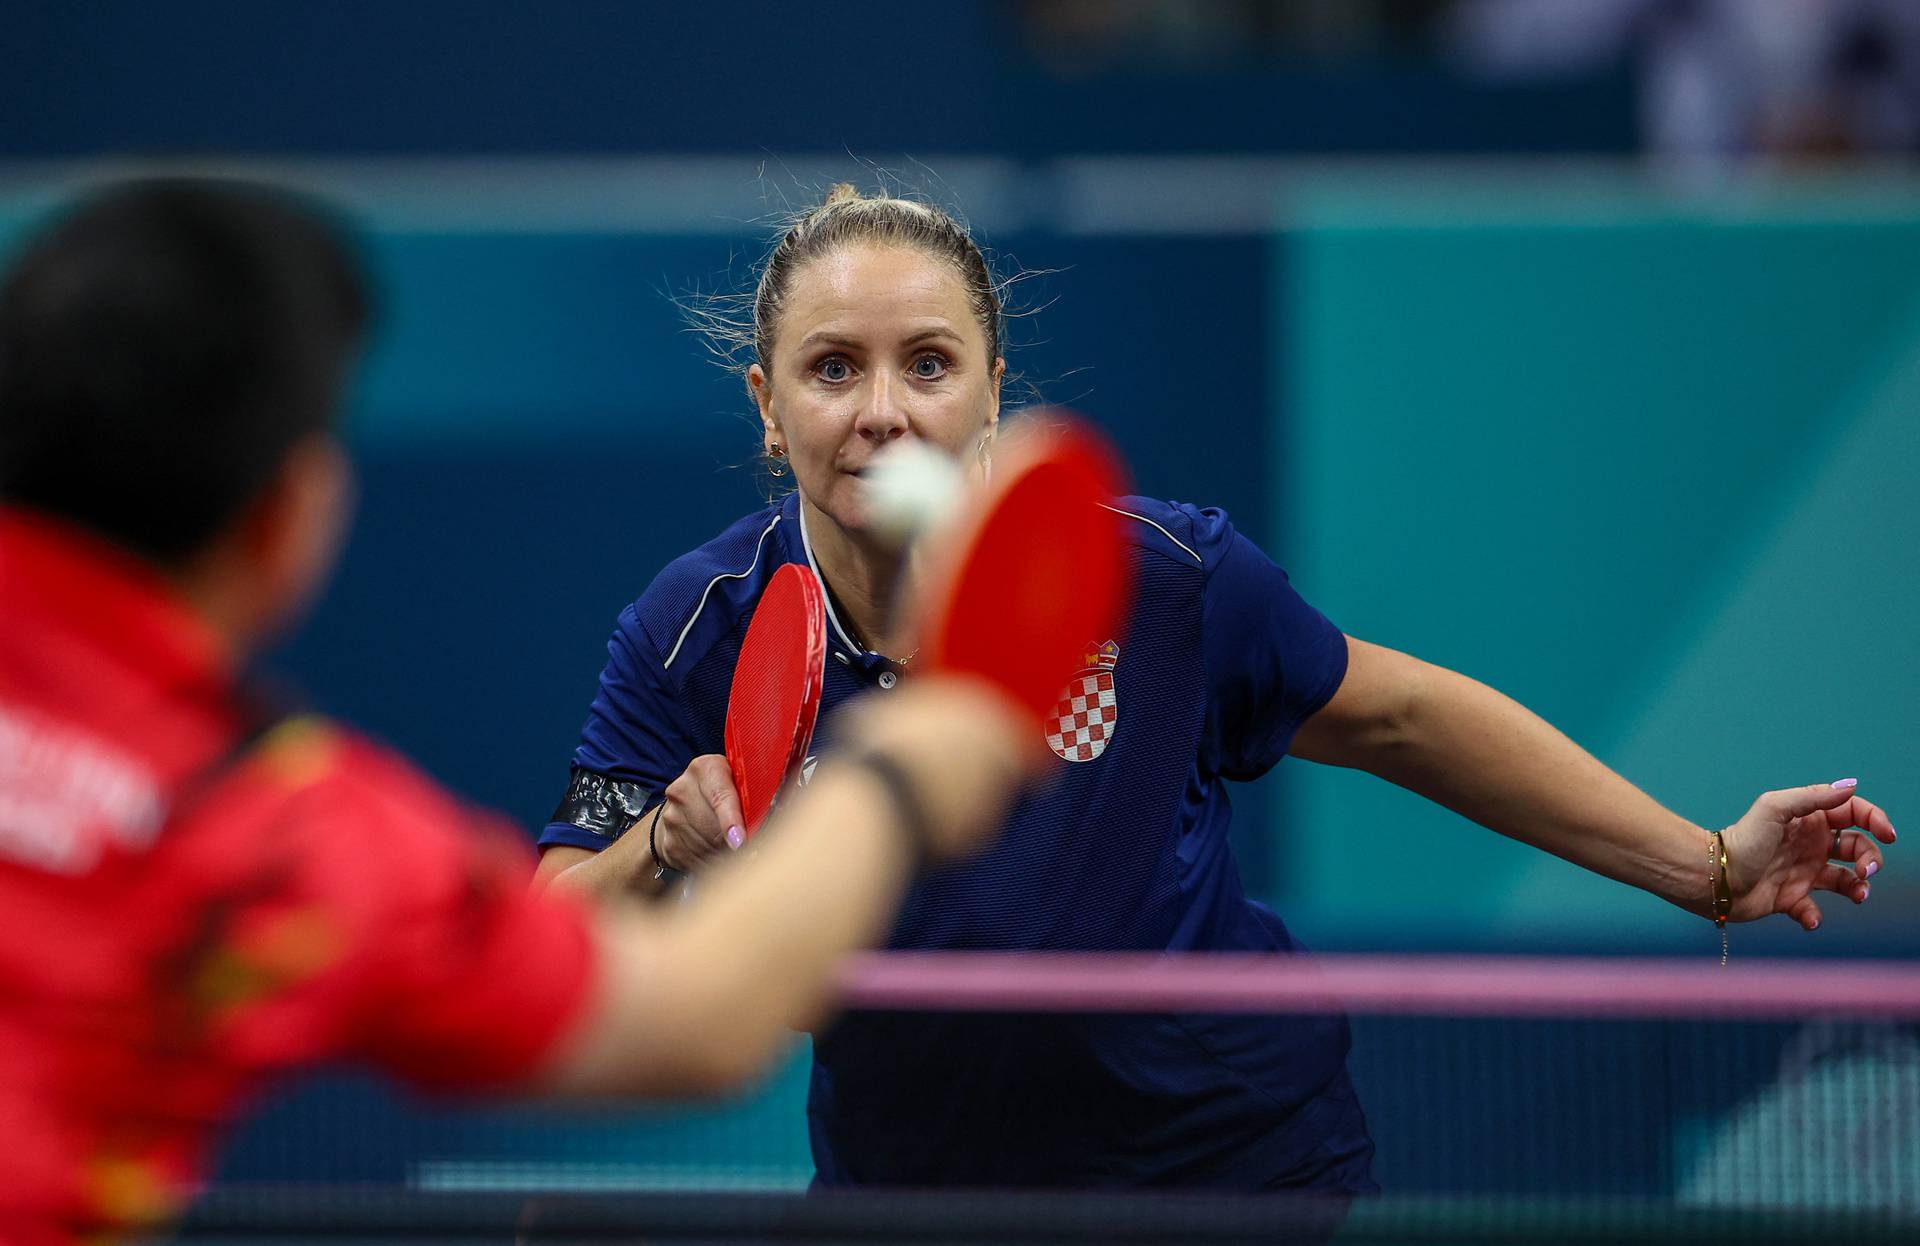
x=1568, y=343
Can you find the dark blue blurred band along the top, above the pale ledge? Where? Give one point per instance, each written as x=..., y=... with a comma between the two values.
x=734, y=76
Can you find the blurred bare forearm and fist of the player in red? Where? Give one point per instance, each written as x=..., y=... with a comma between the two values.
x=700, y=997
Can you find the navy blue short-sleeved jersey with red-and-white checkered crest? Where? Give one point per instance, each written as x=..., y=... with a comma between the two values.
x=1122, y=850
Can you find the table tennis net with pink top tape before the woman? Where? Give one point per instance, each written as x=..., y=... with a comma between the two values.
x=1510, y=1101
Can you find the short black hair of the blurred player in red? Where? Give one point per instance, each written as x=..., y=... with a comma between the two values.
x=164, y=347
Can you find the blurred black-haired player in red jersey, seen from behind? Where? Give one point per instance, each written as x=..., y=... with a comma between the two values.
x=197, y=894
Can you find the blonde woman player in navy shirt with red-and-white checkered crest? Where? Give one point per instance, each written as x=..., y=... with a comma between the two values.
x=878, y=322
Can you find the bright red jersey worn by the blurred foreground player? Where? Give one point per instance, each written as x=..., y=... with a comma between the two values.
x=181, y=921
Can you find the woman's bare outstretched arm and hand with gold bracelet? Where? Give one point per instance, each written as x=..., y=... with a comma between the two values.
x=1491, y=759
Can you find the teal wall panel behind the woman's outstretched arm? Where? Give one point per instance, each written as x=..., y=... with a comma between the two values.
x=1644, y=462
